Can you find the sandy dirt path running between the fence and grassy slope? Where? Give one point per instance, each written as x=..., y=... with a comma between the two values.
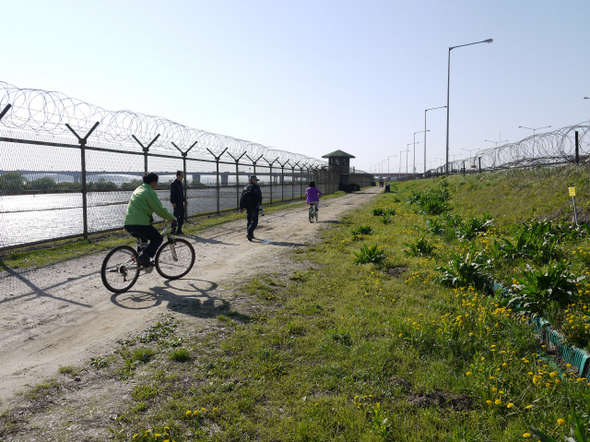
x=63, y=315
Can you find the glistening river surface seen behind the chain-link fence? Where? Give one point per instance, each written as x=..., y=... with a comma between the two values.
x=27, y=219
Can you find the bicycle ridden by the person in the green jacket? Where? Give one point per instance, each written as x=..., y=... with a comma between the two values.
x=120, y=269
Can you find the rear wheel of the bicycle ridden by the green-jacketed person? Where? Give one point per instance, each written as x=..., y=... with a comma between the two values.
x=119, y=269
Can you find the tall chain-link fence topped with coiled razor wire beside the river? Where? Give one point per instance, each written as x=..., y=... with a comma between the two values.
x=68, y=168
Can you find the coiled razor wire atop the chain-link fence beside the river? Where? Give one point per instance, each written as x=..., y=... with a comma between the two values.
x=39, y=114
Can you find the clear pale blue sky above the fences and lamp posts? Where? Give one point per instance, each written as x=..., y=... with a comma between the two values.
x=313, y=76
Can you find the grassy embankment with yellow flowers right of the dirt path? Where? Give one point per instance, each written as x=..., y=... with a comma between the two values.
x=382, y=350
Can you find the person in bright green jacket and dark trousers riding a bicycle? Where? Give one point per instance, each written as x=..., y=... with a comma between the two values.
x=143, y=204
